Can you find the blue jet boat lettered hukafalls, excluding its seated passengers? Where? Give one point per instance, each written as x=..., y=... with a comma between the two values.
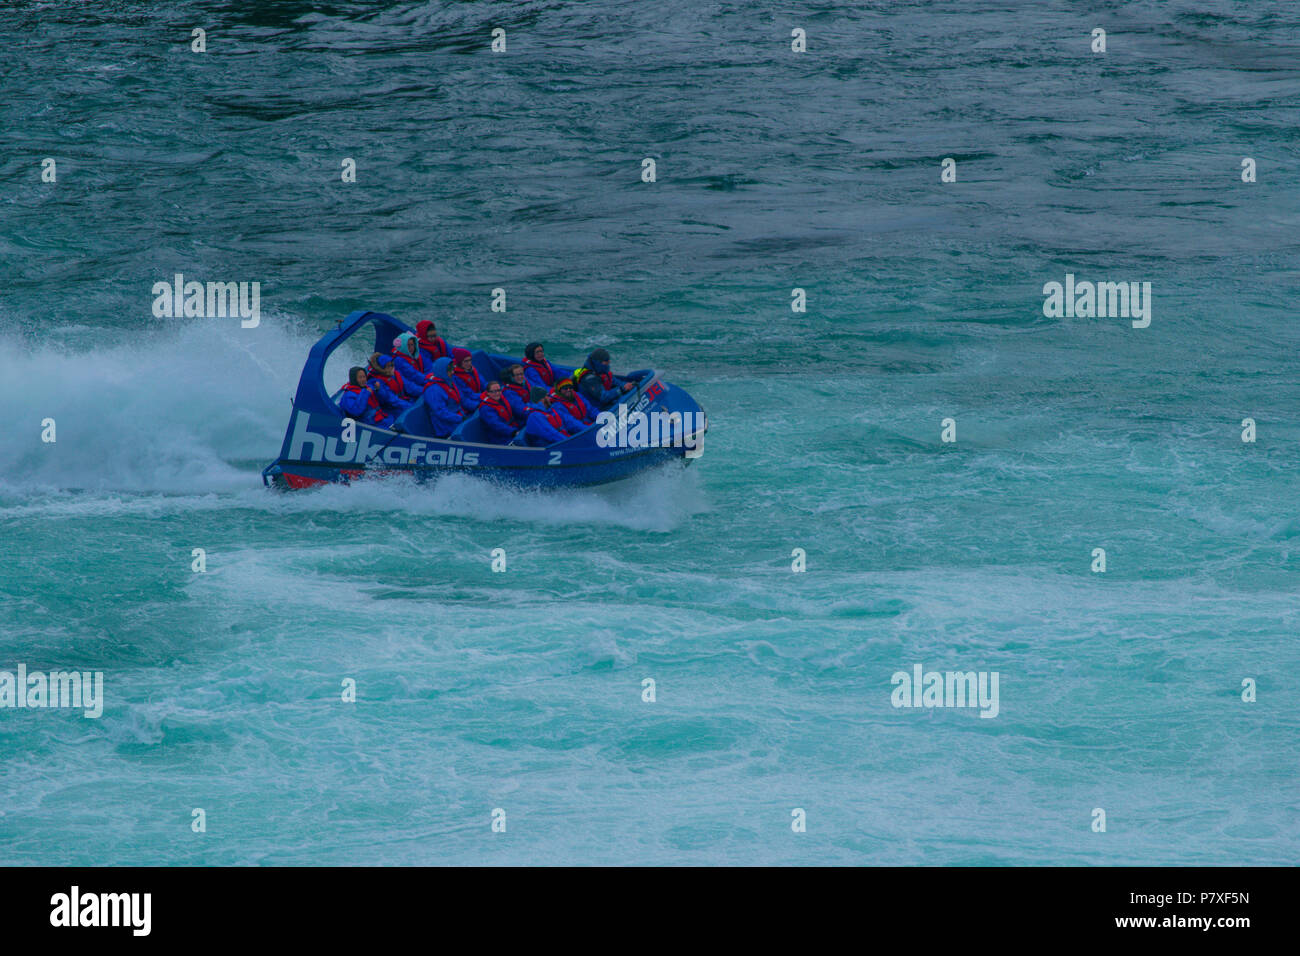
x=652, y=425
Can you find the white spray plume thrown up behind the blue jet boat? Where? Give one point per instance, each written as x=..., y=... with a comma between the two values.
x=166, y=412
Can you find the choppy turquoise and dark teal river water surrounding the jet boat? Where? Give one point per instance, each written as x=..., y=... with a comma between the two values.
x=775, y=171
